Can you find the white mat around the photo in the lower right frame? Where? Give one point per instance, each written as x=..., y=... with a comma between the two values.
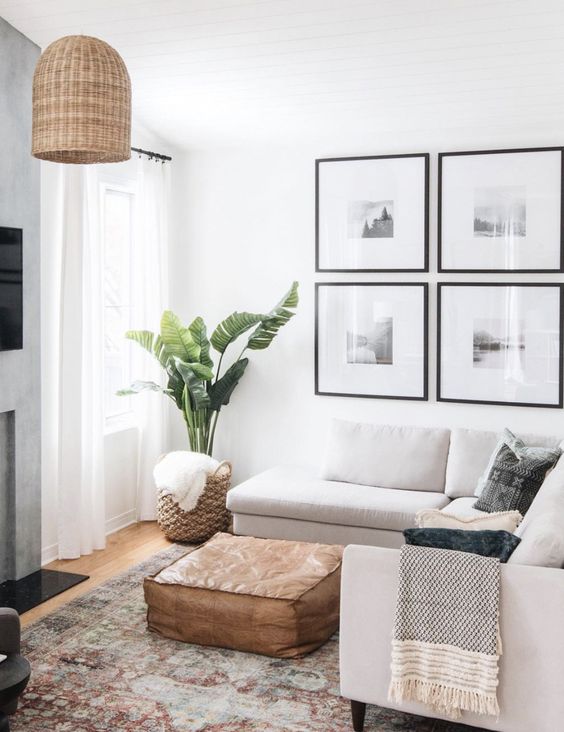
x=535, y=311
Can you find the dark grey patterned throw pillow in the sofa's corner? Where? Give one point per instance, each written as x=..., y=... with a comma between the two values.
x=516, y=474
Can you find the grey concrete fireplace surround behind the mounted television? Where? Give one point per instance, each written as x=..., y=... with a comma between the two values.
x=20, y=377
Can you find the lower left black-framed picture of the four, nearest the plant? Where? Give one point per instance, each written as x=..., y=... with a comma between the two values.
x=371, y=339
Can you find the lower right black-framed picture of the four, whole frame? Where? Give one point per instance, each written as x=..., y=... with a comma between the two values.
x=500, y=343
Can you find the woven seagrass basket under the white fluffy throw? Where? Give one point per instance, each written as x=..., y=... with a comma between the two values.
x=209, y=516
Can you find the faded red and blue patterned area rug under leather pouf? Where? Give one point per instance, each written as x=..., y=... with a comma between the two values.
x=96, y=668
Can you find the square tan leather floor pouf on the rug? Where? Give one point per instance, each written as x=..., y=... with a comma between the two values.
x=278, y=598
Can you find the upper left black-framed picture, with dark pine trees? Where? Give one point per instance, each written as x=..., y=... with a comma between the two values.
x=372, y=214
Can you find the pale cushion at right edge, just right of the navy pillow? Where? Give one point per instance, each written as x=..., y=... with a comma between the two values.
x=542, y=544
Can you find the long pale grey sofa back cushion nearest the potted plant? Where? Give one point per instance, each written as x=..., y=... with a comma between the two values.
x=408, y=458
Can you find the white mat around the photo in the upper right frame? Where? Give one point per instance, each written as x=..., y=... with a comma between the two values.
x=539, y=173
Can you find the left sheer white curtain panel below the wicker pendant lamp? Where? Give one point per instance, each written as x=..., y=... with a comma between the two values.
x=78, y=348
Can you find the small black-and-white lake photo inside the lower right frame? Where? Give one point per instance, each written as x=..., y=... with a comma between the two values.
x=498, y=343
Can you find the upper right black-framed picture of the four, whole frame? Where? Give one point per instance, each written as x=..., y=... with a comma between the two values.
x=501, y=211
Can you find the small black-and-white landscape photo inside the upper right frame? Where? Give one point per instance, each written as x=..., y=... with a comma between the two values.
x=500, y=212
